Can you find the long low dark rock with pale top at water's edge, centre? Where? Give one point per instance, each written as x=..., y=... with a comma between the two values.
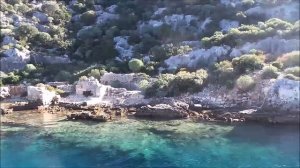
x=162, y=111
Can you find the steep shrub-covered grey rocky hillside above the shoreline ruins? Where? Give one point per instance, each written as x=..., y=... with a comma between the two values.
x=190, y=43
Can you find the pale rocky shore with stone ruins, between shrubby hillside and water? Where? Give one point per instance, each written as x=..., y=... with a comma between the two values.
x=278, y=103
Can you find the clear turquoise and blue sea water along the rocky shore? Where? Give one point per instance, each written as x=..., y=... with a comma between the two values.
x=40, y=140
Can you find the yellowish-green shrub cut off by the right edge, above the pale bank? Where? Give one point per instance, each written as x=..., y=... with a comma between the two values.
x=290, y=59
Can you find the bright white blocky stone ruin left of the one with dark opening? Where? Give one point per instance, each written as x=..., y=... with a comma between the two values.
x=40, y=94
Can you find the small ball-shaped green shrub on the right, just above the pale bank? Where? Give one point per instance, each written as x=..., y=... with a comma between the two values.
x=245, y=83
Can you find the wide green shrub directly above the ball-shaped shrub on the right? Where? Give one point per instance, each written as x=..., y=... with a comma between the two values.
x=248, y=63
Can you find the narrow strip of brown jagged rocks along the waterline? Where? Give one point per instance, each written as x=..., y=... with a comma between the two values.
x=168, y=109
